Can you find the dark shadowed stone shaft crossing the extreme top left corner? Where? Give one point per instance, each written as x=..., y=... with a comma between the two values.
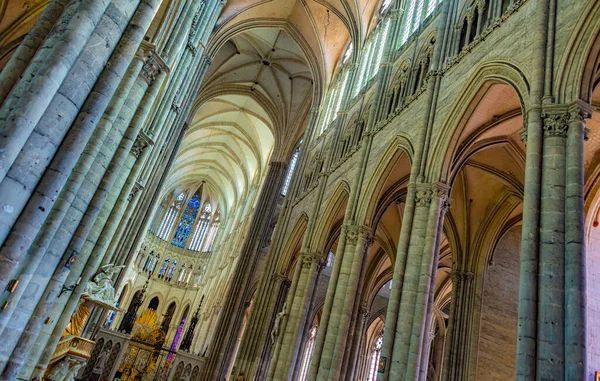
x=18, y=62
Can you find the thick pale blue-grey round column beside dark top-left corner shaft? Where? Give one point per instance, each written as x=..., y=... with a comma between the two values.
x=44, y=75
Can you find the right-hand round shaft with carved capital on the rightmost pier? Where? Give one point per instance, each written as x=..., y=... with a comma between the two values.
x=575, y=333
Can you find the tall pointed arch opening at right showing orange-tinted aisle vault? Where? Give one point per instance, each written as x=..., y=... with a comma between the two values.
x=487, y=181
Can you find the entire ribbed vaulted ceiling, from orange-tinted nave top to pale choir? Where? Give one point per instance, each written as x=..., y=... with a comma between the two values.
x=270, y=59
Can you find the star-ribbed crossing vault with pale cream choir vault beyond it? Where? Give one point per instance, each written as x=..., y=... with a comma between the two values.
x=252, y=108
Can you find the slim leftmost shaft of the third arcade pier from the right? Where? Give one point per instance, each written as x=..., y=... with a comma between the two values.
x=327, y=307
